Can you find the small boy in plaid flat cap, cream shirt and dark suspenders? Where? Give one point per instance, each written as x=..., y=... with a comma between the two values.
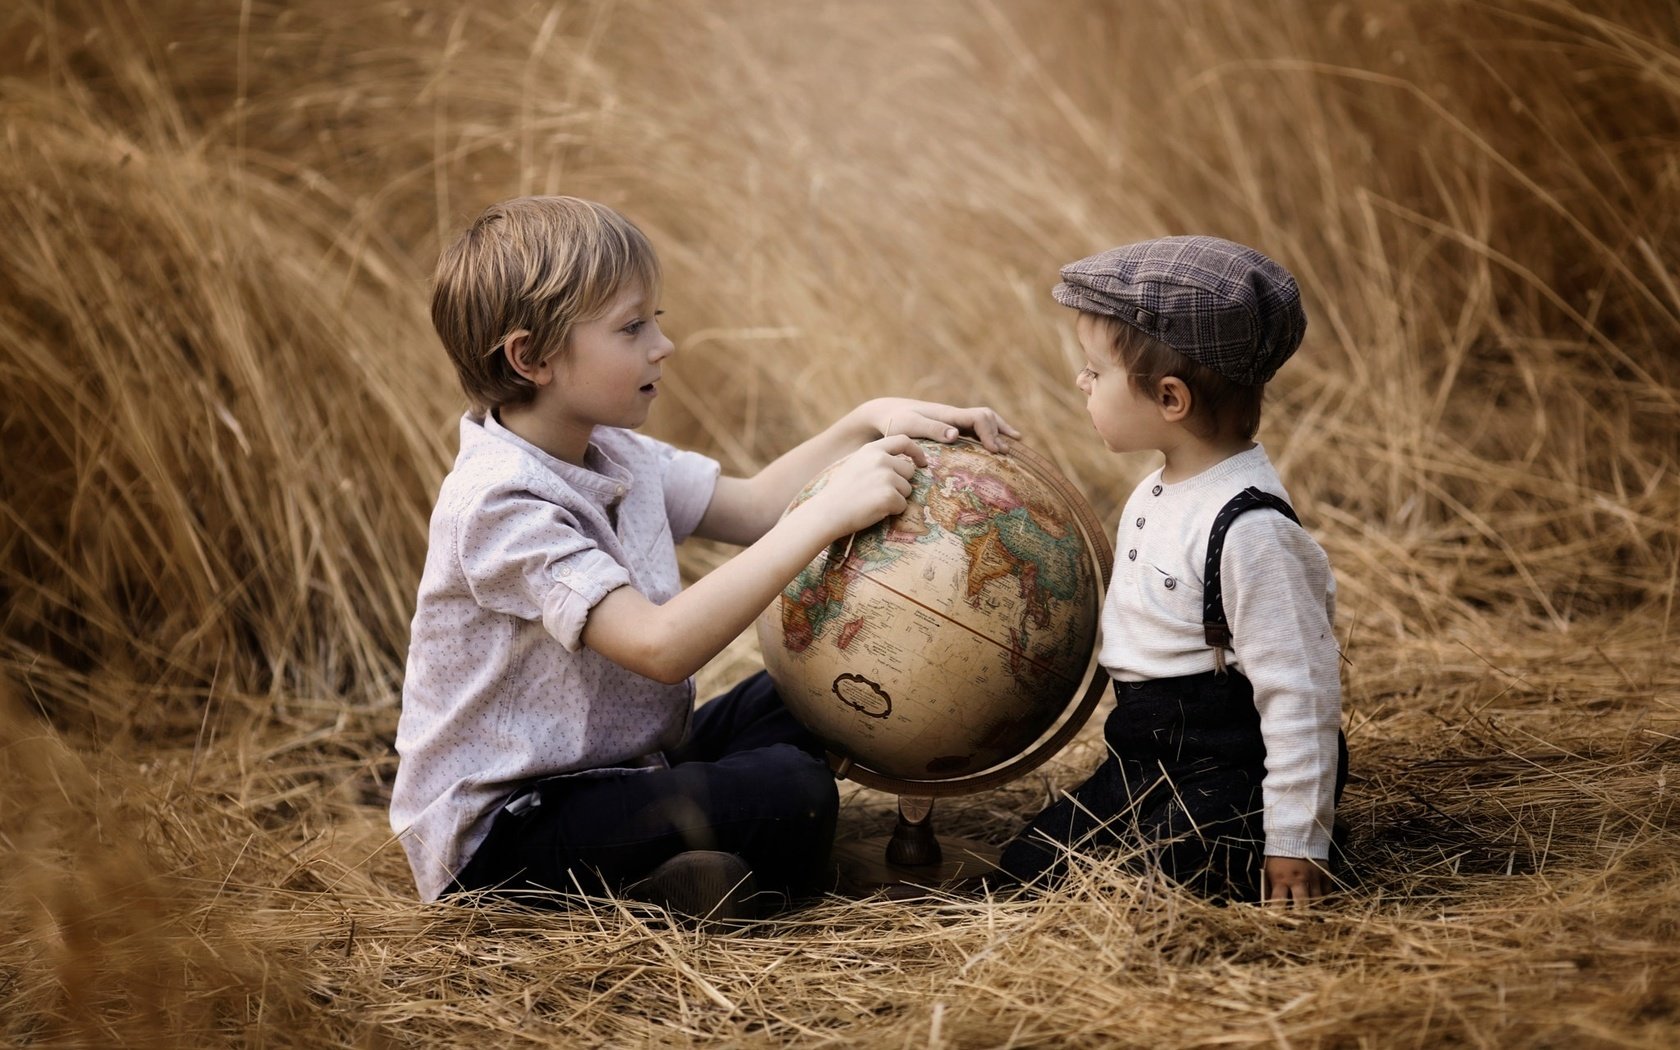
x=1227, y=759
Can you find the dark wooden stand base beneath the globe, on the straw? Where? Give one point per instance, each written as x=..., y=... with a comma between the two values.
x=911, y=861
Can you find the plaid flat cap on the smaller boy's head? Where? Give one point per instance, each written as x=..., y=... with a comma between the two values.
x=1217, y=303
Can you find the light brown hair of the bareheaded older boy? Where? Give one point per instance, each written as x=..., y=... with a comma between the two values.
x=538, y=265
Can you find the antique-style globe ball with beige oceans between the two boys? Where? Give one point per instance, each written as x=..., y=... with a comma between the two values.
x=935, y=651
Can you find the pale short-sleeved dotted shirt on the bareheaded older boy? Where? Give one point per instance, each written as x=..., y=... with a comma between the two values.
x=500, y=690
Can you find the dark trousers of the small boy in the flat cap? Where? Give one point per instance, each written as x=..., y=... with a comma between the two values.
x=1180, y=790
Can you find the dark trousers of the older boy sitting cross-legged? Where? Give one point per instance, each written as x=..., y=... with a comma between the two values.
x=748, y=780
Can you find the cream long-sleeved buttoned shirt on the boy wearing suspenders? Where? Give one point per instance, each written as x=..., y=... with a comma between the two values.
x=1281, y=602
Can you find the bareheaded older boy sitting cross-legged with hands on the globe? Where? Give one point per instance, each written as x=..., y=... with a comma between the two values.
x=549, y=738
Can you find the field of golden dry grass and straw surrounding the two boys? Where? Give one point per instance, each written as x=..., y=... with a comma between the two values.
x=224, y=417
